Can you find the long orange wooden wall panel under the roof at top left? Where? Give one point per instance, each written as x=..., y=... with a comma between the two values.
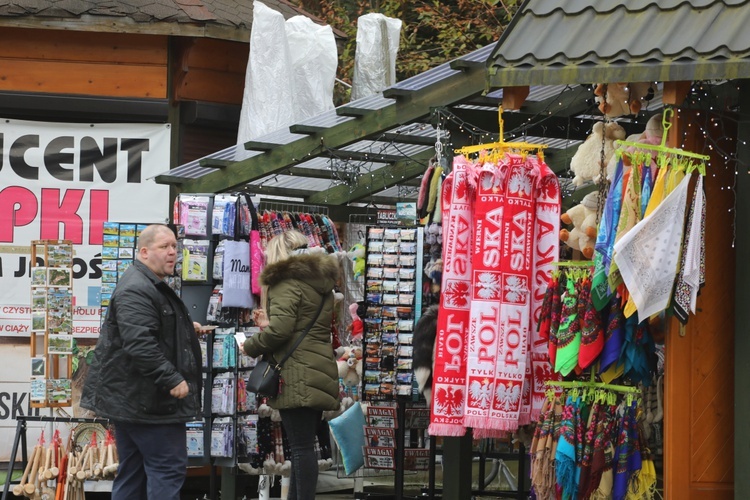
x=98, y=64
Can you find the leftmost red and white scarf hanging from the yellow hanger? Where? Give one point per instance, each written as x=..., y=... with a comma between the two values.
x=449, y=375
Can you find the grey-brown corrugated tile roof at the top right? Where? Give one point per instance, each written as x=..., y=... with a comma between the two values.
x=588, y=41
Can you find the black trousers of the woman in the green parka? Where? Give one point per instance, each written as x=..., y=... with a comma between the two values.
x=300, y=426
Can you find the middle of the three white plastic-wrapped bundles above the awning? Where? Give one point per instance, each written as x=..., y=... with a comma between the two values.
x=314, y=60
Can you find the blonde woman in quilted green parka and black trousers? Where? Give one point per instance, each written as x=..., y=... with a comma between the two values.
x=297, y=279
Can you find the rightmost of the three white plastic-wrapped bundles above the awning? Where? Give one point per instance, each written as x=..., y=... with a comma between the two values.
x=375, y=56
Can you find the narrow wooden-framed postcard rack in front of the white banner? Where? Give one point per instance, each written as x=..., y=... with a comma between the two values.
x=51, y=323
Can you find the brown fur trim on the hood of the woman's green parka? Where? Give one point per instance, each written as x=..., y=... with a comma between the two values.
x=319, y=270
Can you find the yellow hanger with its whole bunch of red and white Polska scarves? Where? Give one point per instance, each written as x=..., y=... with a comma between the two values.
x=511, y=211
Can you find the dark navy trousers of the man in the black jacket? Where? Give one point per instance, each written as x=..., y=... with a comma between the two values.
x=153, y=461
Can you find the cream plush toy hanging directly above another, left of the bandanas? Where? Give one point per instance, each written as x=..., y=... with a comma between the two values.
x=587, y=161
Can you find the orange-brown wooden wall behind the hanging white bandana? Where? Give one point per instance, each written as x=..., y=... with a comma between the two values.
x=699, y=378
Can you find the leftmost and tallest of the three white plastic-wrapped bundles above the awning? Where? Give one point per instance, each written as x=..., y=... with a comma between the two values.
x=267, y=103
